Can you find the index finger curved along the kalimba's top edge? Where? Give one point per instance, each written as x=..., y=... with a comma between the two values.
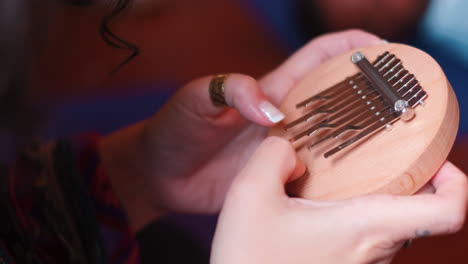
x=278, y=83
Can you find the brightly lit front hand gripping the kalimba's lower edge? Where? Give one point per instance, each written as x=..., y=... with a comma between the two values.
x=259, y=223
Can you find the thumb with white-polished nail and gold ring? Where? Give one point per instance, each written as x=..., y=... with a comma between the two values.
x=241, y=92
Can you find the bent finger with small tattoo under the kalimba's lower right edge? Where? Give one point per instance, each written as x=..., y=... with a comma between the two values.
x=409, y=217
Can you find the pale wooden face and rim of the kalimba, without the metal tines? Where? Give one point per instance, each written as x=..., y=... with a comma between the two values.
x=397, y=161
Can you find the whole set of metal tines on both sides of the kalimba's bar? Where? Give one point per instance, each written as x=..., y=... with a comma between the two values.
x=351, y=113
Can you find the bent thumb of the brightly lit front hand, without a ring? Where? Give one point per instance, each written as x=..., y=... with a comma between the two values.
x=272, y=165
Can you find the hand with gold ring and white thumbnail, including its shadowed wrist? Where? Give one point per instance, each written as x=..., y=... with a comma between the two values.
x=185, y=157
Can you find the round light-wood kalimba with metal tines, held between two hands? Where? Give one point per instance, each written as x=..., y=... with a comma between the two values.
x=375, y=120
